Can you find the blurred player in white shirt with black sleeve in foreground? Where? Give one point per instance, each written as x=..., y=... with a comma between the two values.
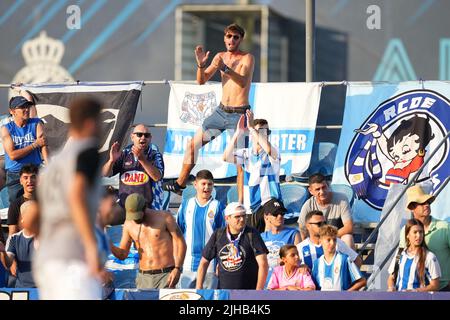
x=67, y=264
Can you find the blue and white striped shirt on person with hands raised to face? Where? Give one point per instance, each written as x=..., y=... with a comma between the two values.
x=261, y=177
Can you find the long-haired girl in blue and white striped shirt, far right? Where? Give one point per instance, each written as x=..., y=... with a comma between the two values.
x=417, y=269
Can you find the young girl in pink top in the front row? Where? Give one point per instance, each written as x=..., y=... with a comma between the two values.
x=288, y=275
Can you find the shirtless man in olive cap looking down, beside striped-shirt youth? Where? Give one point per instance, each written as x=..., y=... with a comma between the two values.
x=158, y=240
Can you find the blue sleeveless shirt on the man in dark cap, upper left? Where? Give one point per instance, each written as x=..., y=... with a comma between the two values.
x=23, y=137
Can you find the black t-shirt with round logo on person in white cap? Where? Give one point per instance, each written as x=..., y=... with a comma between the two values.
x=235, y=273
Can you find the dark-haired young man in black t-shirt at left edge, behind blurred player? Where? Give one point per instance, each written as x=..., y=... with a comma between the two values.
x=28, y=178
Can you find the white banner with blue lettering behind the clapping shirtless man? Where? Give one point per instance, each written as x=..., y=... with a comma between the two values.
x=290, y=108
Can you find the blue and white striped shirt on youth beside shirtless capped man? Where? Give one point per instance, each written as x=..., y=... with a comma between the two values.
x=197, y=223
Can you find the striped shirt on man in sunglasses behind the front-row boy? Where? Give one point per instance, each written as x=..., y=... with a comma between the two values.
x=310, y=252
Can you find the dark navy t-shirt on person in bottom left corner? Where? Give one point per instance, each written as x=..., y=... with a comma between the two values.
x=22, y=248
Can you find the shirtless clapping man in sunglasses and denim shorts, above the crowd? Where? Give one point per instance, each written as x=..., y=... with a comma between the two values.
x=236, y=69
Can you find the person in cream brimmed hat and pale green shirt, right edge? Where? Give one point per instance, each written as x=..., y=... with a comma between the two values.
x=437, y=232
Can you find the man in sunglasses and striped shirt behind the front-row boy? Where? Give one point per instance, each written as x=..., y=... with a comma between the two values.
x=311, y=249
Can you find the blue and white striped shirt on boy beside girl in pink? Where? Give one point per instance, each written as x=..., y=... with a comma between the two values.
x=338, y=275
